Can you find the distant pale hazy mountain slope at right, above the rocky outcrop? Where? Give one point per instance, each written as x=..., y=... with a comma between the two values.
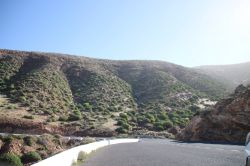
x=230, y=75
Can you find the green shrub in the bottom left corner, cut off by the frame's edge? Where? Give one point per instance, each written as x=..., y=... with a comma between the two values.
x=11, y=159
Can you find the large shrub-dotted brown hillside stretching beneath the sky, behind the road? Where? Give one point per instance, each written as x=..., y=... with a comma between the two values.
x=74, y=95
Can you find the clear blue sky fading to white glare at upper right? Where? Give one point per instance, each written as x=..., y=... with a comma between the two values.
x=185, y=32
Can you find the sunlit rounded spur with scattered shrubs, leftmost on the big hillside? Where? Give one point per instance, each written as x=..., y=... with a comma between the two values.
x=44, y=90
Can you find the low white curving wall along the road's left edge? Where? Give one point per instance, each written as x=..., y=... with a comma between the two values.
x=67, y=157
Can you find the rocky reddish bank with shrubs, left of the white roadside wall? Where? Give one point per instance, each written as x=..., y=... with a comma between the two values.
x=26, y=150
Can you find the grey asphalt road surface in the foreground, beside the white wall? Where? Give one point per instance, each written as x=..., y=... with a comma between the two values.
x=158, y=152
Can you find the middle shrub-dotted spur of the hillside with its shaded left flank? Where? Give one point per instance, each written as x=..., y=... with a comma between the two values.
x=95, y=91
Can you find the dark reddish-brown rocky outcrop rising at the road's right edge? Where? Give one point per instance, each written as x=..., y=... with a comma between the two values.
x=228, y=121
